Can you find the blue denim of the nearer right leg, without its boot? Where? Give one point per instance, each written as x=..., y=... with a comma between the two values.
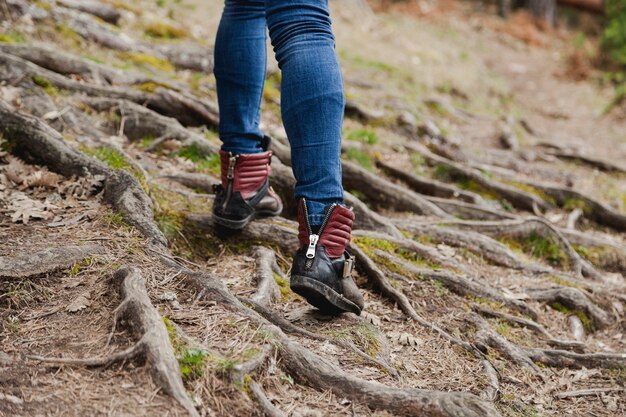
x=312, y=98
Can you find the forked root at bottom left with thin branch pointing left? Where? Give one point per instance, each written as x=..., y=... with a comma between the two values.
x=153, y=343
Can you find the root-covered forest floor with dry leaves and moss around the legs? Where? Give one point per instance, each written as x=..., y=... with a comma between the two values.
x=489, y=186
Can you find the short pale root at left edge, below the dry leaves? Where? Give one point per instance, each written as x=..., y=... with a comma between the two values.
x=45, y=261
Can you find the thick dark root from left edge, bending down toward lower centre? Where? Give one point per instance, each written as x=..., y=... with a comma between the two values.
x=32, y=140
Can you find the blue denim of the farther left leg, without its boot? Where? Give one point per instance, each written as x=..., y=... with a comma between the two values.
x=240, y=62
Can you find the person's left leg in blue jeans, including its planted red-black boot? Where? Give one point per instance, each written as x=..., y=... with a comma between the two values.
x=240, y=62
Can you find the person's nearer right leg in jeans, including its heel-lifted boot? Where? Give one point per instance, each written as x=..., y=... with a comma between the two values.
x=312, y=103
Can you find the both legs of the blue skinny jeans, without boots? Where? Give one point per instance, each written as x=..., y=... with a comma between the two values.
x=312, y=97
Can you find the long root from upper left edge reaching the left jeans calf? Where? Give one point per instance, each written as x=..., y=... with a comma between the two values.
x=188, y=110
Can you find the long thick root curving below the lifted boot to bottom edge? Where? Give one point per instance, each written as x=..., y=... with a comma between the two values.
x=321, y=374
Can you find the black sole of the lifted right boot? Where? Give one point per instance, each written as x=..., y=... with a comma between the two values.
x=322, y=296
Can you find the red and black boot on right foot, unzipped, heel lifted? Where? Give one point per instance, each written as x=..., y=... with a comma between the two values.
x=322, y=269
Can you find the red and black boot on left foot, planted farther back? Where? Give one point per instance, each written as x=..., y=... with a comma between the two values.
x=245, y=193
